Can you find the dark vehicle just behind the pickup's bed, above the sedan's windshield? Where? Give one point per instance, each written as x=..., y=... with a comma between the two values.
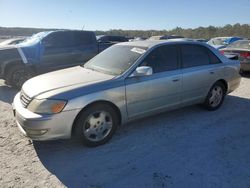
x=108, y=40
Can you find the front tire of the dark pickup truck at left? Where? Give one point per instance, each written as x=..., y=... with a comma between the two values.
x=16, y=76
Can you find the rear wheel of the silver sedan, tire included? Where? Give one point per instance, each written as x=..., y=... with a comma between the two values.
x=215, y=96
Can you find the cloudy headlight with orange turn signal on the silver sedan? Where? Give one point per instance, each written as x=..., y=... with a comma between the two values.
x=46, y=106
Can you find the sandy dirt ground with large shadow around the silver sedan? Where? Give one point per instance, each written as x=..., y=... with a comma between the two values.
x=189, y=147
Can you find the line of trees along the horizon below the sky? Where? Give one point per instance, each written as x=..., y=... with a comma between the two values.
x=242, y=30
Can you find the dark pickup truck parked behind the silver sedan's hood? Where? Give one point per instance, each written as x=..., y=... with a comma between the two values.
x=45, y=52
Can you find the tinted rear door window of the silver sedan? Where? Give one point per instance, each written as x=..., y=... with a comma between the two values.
x=194, y=55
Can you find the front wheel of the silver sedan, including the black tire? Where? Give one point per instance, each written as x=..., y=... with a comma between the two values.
x=96, y=125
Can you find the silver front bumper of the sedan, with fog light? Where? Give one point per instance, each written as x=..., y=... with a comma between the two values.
x=43, y=127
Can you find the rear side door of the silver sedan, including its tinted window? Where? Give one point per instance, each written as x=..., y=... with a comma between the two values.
x=200, y=69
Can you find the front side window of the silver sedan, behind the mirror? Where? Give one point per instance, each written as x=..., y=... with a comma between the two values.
x=164, y=58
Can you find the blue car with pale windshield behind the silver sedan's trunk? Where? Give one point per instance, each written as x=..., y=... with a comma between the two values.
x=222, y=42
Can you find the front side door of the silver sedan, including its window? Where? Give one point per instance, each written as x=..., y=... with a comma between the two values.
x=158, y=91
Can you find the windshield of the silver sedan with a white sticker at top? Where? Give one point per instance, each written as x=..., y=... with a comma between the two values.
x=116, y=59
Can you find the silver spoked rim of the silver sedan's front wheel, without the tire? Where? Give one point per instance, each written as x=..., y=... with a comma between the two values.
x=97, y=126
